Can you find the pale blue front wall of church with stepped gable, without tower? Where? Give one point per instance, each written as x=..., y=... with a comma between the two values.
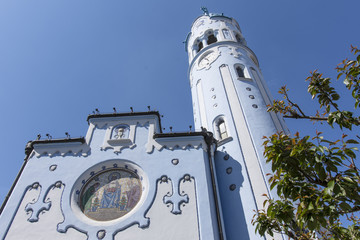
x=177, y=199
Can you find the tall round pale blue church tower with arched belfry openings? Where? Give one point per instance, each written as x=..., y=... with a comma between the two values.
x=230, y=99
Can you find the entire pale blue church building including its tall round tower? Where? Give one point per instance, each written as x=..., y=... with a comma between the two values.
x=126, y=179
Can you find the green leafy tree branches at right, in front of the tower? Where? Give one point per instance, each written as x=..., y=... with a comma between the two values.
x=317, y=180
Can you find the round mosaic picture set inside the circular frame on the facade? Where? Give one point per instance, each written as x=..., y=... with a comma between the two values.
x=110, y=194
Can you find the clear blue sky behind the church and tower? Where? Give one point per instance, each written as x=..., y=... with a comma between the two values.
x=59, y=60
